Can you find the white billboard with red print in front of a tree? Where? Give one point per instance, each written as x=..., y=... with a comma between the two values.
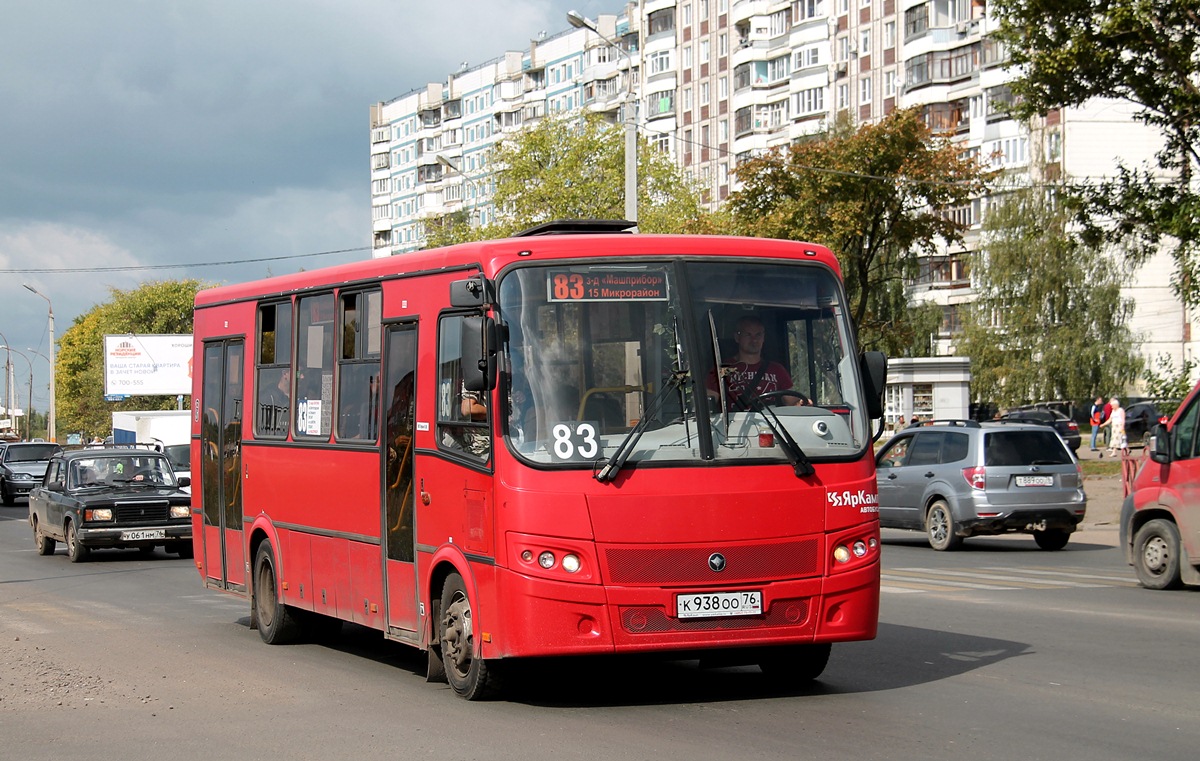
x=159, y=365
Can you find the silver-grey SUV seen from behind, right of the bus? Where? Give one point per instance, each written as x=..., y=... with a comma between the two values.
x=961, y=478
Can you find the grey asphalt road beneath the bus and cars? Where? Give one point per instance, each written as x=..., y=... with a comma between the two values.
x=997, y=652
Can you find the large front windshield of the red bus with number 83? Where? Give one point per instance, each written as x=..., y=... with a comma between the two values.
x=680, y=362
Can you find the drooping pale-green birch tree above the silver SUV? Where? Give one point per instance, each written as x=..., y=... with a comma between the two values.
x=1049, y=321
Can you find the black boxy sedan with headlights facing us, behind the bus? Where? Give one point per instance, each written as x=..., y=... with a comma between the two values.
x=94, y=499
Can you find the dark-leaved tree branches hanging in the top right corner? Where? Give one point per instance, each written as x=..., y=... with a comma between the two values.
x=1143, y=52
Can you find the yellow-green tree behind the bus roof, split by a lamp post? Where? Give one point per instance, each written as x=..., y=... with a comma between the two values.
x=572, y=167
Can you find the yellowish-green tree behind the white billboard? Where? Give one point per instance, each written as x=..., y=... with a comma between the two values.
x=154, y=308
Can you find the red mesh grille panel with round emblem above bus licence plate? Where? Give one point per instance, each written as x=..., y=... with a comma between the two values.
x=743, y=564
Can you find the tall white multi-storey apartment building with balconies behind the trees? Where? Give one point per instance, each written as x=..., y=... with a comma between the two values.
x=713, y=82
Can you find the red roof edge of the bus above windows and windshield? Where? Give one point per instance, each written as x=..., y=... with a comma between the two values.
x=491, y=256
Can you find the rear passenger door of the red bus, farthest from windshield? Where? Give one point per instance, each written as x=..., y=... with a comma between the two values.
x=221, y=464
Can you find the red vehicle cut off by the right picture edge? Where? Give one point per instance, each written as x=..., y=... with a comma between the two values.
x=1161, y=518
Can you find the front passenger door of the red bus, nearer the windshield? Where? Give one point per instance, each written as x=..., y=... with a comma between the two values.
x=399, y=505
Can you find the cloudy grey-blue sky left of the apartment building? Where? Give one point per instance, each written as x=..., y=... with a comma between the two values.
x=157, y=133
